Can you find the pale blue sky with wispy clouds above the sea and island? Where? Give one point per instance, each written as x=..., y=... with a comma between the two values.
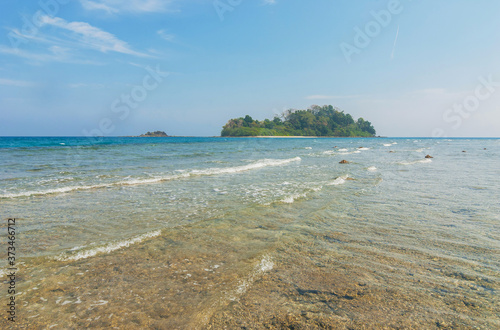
x=124, y=67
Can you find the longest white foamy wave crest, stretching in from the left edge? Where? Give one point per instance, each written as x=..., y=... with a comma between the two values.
x=211, y=171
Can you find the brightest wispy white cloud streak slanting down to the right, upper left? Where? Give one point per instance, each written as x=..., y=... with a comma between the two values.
x=91, y=37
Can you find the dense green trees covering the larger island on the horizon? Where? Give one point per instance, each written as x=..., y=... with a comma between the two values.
x=315, y=121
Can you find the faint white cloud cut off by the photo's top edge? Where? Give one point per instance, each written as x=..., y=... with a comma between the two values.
x=132, y=6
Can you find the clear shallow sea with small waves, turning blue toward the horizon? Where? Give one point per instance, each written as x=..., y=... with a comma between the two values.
x=250, y=233
